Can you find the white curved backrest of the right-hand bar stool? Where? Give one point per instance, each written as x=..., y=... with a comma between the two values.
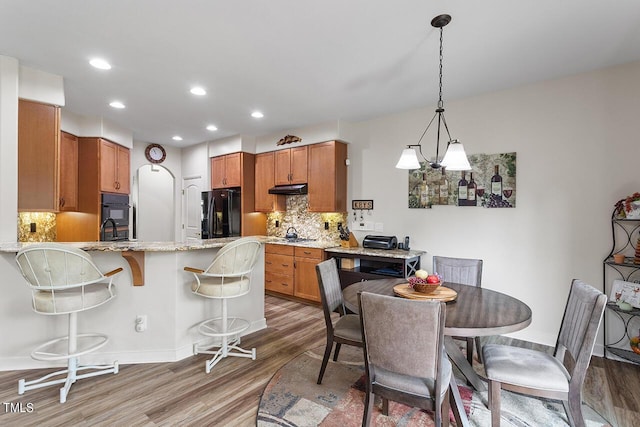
x=236, y=258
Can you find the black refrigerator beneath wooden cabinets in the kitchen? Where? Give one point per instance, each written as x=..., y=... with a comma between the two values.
x=221, y=213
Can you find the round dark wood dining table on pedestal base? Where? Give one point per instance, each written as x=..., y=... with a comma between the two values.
x=474, y=312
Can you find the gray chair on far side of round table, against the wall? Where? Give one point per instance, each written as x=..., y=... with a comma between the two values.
x=467, y=272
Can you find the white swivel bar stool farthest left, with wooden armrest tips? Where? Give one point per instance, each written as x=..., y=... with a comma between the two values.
x=64, y=280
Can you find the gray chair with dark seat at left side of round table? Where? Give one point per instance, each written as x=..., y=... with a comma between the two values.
x=346, y=329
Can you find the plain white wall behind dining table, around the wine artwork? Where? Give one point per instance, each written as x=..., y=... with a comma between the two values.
x=577, y=154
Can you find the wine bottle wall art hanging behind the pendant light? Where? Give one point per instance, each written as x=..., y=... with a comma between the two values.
x=491, y=183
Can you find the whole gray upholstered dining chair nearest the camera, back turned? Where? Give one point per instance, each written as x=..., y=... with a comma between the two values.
x=404, y=354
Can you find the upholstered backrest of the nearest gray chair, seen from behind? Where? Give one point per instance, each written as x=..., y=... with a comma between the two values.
x=401, y=335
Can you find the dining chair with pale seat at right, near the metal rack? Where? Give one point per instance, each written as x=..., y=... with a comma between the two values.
x=538, y=373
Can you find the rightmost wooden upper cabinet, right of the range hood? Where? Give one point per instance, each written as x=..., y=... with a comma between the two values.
x=328, y=177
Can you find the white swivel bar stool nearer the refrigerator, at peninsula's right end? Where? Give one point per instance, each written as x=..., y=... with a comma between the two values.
x=228, y=276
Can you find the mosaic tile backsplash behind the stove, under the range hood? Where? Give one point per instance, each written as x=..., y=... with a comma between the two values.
x=309, y=225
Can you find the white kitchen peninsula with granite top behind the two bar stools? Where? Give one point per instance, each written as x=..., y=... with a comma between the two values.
x=172, y=311
